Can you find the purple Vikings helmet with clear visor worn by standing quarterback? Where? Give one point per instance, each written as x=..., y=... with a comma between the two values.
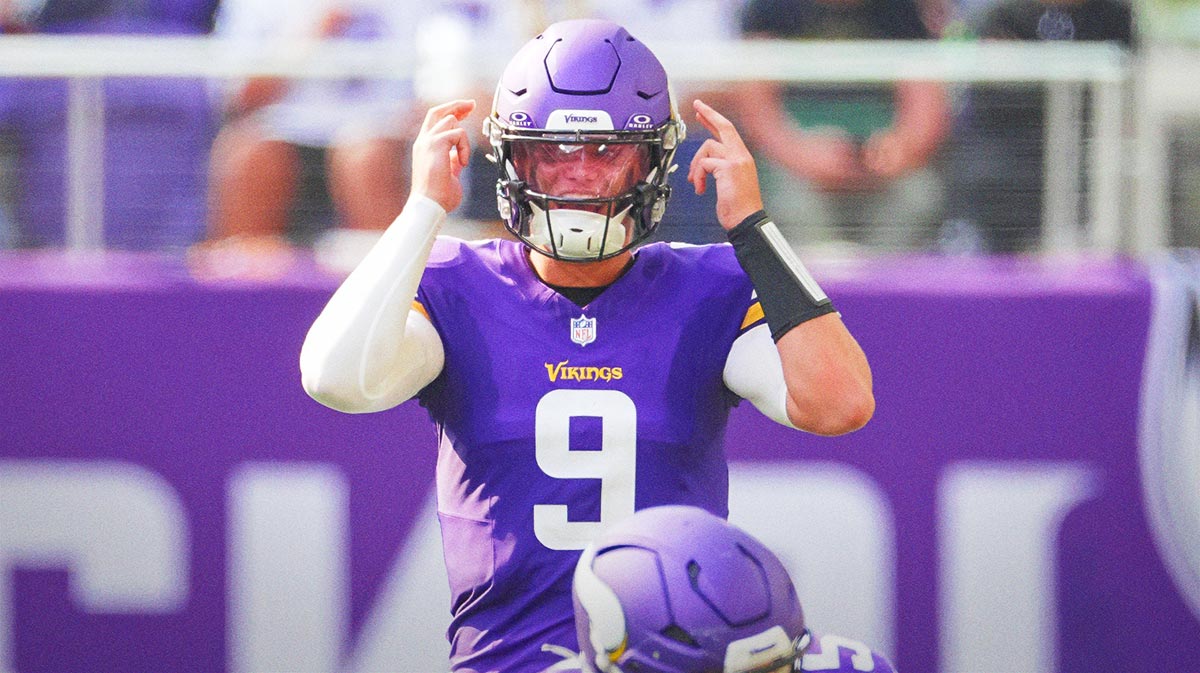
x=584, y=130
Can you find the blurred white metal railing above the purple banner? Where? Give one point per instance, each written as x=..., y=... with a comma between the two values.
x=1066, y=70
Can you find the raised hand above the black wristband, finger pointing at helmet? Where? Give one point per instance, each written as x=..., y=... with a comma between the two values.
x=727, y=158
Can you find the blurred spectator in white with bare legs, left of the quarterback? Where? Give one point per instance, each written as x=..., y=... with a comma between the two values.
x=296, y=159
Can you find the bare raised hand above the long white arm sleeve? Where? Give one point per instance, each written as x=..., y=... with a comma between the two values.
x=441, y=152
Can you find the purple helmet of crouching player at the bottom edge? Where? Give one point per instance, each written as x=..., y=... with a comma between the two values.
x=676, y=590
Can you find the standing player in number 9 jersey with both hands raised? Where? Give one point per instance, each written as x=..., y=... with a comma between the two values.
x=575, y=377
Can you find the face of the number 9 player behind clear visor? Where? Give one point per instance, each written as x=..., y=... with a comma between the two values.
x=587, y=171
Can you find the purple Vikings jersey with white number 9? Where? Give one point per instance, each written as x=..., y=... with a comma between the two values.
x=556, y=420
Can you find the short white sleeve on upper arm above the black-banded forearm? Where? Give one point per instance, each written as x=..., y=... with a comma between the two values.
x=754, y=372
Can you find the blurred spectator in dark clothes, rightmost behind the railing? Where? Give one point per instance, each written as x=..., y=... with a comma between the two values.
x=998, y=155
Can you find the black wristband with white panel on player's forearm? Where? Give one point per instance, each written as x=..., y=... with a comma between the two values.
x=787, y=291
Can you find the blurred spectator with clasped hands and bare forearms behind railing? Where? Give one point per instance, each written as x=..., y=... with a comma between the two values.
x=847, y=164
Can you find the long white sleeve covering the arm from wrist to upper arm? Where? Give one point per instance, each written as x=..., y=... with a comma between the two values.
x=369, y=351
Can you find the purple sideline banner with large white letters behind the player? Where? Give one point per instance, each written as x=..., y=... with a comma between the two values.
x=172, y=501
